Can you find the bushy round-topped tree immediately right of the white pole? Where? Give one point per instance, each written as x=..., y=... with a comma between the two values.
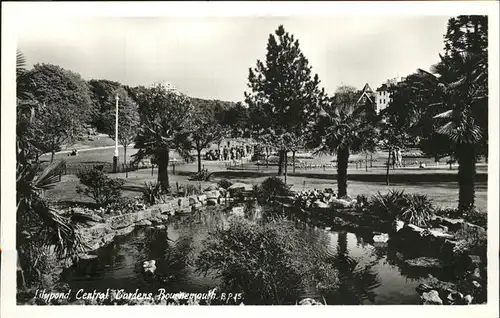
x=165, y=125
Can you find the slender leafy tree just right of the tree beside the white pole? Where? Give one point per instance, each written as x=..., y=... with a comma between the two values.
x=205, y=130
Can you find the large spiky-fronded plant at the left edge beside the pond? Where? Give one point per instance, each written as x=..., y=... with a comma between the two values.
x=42, y=231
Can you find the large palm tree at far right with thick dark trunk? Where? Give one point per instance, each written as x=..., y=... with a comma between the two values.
x=460, y=82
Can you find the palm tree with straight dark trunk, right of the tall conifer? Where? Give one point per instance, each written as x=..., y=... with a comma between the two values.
x=344, y=127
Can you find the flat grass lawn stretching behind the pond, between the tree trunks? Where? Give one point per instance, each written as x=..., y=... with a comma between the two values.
x=438, y=184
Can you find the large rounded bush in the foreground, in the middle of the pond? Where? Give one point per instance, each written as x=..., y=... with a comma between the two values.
x=270, y=263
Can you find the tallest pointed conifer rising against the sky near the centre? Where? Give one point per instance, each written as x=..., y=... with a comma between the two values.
x=283, y=93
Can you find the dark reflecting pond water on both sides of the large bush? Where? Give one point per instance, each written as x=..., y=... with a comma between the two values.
x=375, y=279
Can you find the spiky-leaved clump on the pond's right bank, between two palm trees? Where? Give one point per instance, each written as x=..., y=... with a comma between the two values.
x=411, y=208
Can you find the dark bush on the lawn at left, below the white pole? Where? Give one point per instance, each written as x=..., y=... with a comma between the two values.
x=99, y=187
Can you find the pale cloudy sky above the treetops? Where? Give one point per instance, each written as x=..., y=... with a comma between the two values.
x=210, y=57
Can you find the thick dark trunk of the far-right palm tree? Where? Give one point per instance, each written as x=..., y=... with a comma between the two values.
x=466, y=177
